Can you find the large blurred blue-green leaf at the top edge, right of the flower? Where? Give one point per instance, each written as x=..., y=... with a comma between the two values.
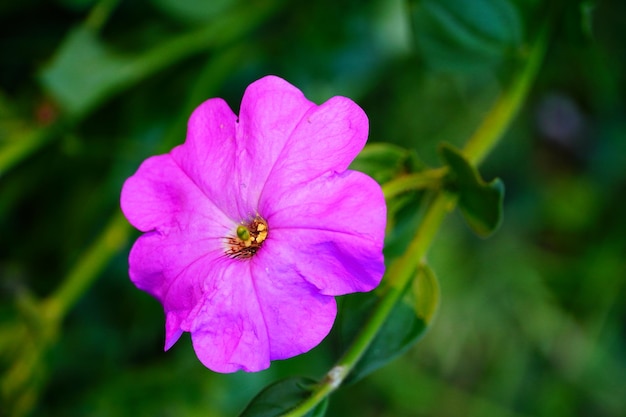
x=465, y=35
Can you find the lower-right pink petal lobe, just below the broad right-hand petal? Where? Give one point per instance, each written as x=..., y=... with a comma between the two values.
x=296, y=316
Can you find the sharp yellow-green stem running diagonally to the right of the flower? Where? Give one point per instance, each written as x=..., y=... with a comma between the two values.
x=403, y=270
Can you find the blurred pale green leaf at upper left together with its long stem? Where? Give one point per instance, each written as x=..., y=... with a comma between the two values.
x=85, y=72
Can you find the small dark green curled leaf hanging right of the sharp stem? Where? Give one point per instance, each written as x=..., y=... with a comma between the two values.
x=480, y=203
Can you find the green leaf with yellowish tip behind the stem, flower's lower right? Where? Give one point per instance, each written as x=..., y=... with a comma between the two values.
x=406, y=324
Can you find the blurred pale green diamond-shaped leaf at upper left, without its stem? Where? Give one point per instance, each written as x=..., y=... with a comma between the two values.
x=82, y=72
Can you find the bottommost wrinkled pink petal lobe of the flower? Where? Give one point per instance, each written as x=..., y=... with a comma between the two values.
x=227, y=329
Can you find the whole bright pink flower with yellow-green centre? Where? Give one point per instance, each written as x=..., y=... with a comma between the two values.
x=254, y=224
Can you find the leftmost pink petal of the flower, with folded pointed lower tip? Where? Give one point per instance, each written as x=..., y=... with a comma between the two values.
x=185, y=226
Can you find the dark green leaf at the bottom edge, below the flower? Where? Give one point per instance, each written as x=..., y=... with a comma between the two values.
x=280, y=397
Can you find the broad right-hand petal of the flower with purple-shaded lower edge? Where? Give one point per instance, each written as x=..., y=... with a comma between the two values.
x=331, y=231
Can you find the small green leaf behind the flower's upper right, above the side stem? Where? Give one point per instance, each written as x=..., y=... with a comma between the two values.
x=383, y=161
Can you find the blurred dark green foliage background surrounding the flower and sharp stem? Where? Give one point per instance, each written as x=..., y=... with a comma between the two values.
x=532, y=320
